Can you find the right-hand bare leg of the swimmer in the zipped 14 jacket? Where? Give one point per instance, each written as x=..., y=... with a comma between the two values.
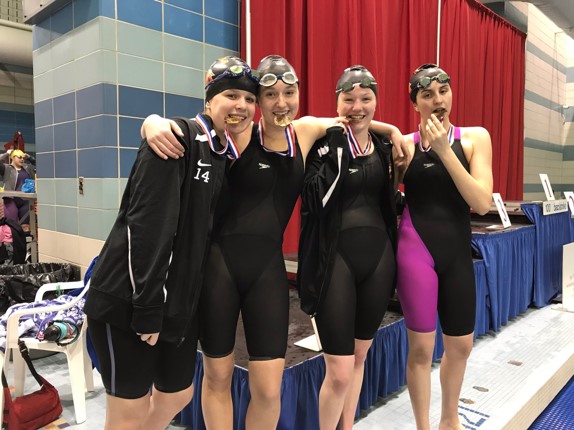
x=165, y=406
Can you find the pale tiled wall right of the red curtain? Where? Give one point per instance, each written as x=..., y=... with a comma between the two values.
x=548, y=141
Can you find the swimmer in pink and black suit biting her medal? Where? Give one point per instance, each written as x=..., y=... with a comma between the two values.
x=450, y=172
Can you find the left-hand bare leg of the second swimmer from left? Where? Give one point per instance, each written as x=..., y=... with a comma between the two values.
x=216, y=402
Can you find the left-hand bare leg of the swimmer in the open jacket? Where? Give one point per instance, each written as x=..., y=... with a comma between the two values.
x=338, y=380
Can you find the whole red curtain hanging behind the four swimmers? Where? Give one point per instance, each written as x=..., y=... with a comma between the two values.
x=391, y=38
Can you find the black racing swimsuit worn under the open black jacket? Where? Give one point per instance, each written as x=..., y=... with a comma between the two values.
x=364, y=268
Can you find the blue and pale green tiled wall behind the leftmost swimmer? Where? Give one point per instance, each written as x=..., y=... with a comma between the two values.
x=100, y=67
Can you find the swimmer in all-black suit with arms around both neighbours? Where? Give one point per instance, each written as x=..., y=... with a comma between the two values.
x=247, y=272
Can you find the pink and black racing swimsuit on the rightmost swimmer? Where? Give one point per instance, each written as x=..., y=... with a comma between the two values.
x=434, y=260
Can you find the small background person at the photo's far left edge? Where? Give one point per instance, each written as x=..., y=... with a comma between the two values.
x=14, y=175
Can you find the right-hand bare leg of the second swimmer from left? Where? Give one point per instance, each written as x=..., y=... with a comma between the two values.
x=265, y=378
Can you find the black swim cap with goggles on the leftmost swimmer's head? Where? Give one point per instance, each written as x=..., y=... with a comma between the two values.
x=227, y=73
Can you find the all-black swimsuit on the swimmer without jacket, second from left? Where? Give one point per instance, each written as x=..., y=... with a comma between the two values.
x=246, y=269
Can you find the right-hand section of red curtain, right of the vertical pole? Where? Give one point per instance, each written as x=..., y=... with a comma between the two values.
x=485, y=58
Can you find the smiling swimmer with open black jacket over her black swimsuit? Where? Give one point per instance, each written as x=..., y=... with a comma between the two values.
x=346, y=272
